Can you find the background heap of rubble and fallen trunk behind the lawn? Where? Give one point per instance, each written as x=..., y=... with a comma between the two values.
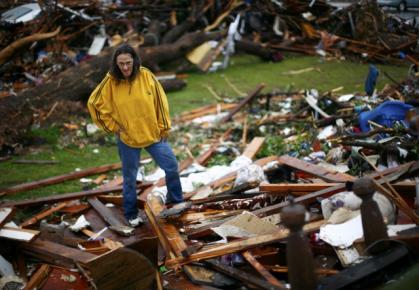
x=53, y=60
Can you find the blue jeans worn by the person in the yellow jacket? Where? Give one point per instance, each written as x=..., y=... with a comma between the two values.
x=165, y=159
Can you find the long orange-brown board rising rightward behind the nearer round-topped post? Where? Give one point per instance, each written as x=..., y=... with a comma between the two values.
x=240, y=245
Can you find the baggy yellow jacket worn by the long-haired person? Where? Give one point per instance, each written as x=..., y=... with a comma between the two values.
x=137, y=110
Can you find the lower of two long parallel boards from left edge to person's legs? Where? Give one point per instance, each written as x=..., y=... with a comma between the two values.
x=68, y=196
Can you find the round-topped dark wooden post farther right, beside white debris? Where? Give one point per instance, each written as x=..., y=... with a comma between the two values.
x=372, y=220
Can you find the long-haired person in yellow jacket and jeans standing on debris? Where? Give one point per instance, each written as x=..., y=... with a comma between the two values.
x=131, y=103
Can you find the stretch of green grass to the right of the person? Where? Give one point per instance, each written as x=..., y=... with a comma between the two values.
x=246, y=72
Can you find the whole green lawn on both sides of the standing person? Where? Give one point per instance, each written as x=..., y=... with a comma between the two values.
x=245, y=72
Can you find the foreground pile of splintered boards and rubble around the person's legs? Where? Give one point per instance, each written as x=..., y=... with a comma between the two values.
x=288, y=207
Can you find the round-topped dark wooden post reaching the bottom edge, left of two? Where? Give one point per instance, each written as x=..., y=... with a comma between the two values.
x=299, y=256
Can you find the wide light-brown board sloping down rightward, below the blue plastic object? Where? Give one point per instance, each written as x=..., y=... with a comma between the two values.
x=316, y=170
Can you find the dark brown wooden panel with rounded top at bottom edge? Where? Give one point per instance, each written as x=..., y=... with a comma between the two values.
x=122, y=268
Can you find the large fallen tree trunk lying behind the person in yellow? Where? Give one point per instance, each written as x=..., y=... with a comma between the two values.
x=76, y=83
